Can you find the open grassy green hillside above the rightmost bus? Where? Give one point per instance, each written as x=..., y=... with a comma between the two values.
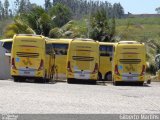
x=140, y=29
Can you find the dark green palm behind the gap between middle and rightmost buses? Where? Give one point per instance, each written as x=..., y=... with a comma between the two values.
x=102, y=28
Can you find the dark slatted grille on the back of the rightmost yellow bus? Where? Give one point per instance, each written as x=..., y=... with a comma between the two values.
x=130, y=61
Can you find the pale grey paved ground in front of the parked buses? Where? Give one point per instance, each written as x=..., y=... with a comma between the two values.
x=61, y=97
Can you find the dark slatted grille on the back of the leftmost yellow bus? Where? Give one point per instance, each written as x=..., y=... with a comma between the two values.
x=27, y=54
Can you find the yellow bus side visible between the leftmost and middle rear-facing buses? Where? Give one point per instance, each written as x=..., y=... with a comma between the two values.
x=60, y=47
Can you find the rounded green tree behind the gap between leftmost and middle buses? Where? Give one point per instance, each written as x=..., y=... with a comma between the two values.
x=60, y=14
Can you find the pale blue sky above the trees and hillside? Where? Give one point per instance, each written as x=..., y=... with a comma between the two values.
x=132, y=6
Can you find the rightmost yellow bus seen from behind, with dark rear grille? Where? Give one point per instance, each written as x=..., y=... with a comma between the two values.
x=129, y=62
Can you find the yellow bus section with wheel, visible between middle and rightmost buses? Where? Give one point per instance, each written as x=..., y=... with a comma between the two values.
x=106, y=54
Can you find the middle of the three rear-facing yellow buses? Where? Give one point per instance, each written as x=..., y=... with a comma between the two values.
x=83, y=60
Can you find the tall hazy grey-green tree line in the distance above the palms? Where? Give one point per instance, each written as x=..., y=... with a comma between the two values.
x=78, y=8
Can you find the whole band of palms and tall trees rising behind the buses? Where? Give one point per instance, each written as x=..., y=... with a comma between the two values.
x=57, y=18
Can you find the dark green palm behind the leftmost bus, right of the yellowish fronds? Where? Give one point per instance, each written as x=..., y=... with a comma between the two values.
x=37, y=19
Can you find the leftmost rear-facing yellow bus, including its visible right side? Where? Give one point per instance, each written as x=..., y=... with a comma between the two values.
x=31, y=58
